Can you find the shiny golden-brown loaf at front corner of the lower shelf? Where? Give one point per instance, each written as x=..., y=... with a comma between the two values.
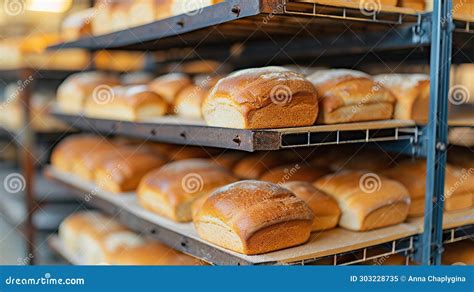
x=254, y=217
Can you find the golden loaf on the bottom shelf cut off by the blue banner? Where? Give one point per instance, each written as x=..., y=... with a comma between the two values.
x=151, y=253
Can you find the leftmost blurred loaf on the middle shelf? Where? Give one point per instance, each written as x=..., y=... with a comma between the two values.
x=74, y=91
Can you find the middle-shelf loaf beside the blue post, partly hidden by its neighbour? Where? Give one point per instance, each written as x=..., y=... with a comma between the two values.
x=412, y=92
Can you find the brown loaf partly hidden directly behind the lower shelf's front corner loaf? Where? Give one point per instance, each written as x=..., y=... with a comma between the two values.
x=325, y=209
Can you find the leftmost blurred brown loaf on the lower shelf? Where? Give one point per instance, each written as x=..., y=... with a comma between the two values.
x=70, y=148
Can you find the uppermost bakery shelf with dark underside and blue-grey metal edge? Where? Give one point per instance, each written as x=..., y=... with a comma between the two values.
x=237, y=21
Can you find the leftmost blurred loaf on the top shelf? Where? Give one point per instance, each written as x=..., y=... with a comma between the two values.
x=77, y=25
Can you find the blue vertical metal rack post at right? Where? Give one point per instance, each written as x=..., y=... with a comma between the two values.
x=437, y=131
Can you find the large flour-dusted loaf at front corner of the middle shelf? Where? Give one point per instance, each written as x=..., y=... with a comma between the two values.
x=268, y=97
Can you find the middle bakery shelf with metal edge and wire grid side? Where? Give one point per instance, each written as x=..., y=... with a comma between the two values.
x=192, y=132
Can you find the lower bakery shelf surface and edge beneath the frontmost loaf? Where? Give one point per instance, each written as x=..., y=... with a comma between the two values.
x=338, y=246
